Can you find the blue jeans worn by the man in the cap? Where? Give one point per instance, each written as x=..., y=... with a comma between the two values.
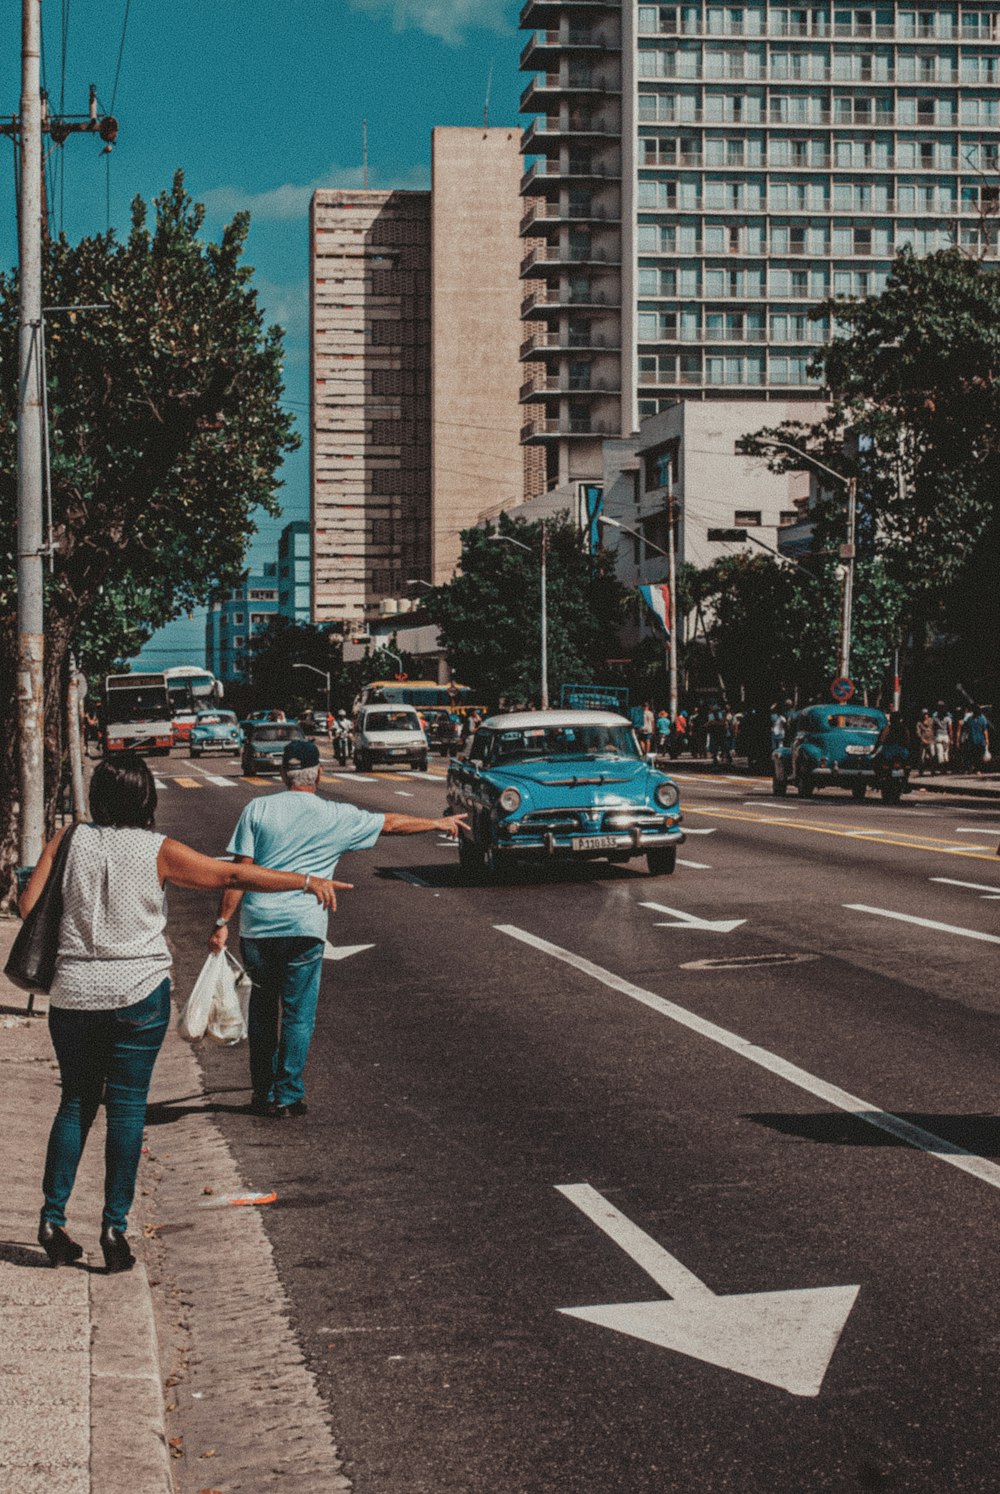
x=286, y=978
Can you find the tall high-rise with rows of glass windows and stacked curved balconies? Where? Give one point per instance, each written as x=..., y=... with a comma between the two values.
x=708, y=173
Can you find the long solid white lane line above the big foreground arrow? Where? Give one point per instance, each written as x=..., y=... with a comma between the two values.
x=830, y=1094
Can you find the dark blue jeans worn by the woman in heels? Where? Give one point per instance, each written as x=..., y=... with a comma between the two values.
x=104, y=1056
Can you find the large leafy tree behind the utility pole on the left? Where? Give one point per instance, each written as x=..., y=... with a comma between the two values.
x=167, y=434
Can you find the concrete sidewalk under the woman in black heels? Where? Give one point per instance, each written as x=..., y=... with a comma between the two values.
x=81, y=1404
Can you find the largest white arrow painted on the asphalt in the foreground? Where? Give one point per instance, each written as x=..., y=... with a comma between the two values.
x=784, y=1339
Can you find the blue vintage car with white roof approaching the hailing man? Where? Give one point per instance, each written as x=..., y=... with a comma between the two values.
x=561, y=785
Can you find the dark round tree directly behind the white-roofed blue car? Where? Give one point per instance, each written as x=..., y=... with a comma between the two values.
x=490, y=616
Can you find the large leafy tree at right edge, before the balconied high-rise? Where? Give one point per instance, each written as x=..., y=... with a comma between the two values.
x=916, y=416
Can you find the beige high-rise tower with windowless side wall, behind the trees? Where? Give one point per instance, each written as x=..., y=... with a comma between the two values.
x=416, y=376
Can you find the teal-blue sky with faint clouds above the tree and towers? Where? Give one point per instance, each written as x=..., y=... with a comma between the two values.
x=261, y=104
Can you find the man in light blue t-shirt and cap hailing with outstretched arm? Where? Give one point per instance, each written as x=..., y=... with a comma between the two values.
x=283, y=934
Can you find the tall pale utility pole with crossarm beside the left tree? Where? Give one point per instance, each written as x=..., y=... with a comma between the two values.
x=34, y=545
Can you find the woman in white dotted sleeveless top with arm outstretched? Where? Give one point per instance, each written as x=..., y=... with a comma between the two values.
x=110, y=1002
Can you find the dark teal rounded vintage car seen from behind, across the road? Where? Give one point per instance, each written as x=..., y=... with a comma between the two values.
x=829, y=746
